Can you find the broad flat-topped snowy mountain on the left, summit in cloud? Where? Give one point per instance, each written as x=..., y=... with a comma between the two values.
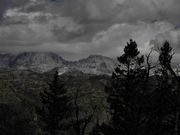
x=37, y=61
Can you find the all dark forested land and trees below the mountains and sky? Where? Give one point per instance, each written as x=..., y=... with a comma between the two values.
x=140, y=98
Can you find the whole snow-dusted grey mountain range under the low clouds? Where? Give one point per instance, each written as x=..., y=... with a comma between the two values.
x=46, y=61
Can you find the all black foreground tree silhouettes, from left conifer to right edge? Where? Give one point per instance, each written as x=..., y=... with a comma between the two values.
x=139, y=103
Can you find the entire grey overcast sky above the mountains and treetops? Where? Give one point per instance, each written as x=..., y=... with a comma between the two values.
x=77, y=28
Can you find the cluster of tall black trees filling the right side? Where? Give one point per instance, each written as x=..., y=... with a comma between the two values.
x=141, y=103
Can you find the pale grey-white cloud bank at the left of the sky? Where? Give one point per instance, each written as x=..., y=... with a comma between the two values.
x=33, y=32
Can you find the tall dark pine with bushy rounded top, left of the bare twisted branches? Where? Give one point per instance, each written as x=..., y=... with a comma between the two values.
x=126, y=94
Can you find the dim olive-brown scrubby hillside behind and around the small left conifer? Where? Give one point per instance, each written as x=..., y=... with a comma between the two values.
x=20, y=99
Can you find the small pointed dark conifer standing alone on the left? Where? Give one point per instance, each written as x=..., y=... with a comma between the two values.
x=54, y=106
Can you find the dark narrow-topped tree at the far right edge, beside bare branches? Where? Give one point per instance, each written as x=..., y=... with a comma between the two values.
x=163, y=105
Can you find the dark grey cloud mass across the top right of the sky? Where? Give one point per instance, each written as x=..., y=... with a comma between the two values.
x=99, y=15
